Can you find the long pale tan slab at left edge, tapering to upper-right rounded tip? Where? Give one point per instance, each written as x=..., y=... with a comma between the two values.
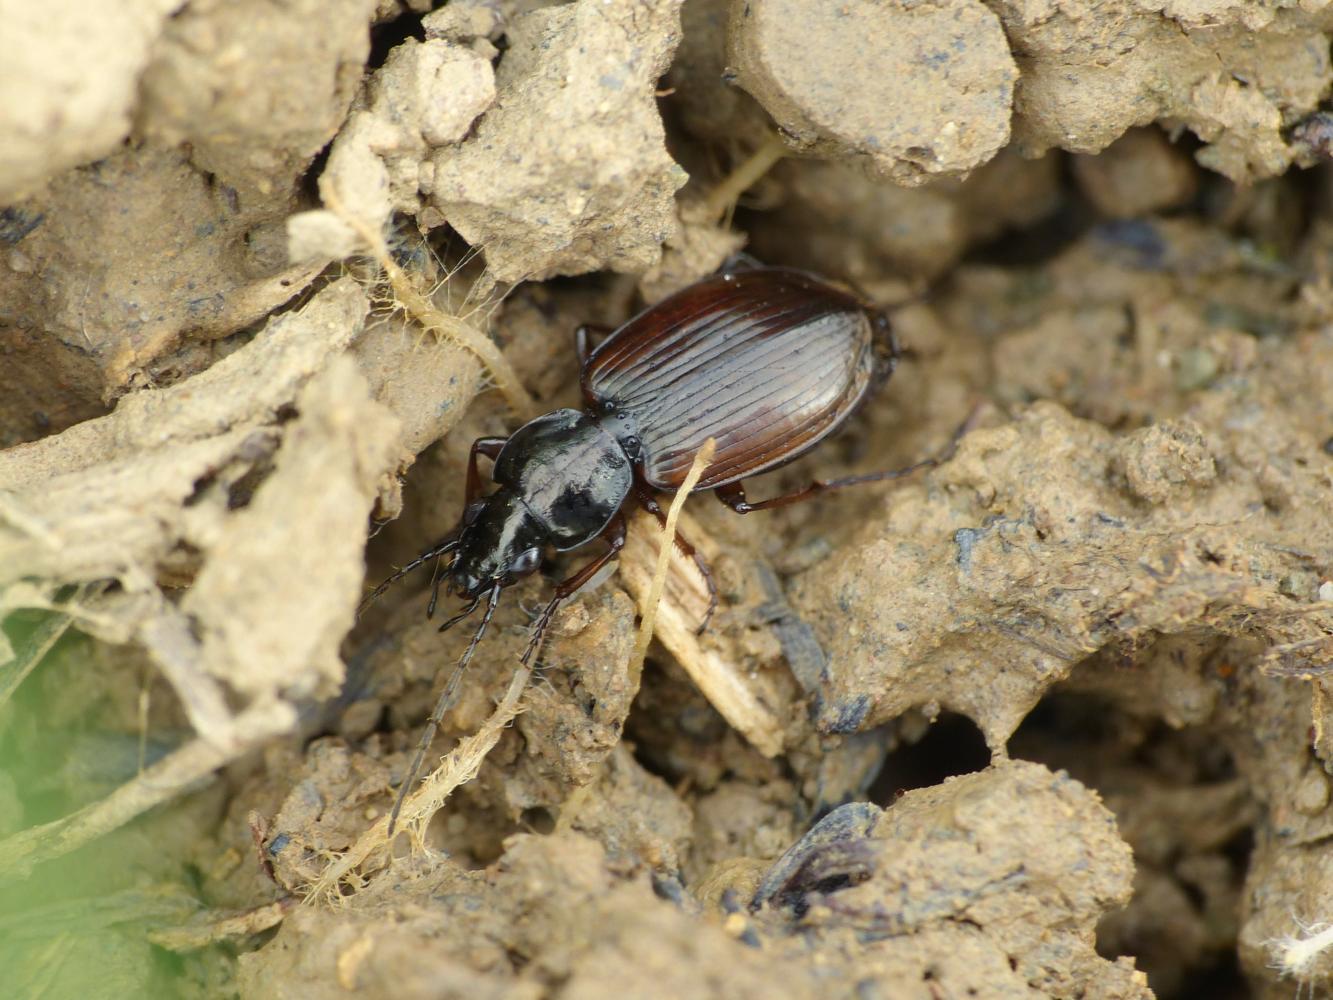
x=90, y=503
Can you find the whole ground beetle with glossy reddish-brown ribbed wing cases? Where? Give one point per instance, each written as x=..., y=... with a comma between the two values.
x=767, y=362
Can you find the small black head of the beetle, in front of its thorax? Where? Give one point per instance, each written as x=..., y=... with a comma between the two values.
x=501, y=543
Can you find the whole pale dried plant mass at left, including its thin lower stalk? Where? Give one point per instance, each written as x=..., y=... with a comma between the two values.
x=121, y=498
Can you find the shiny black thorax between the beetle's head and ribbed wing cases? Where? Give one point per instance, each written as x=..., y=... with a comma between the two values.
x=570, y=473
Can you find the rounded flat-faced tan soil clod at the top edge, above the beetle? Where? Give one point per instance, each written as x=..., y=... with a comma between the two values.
x=944, y=69
